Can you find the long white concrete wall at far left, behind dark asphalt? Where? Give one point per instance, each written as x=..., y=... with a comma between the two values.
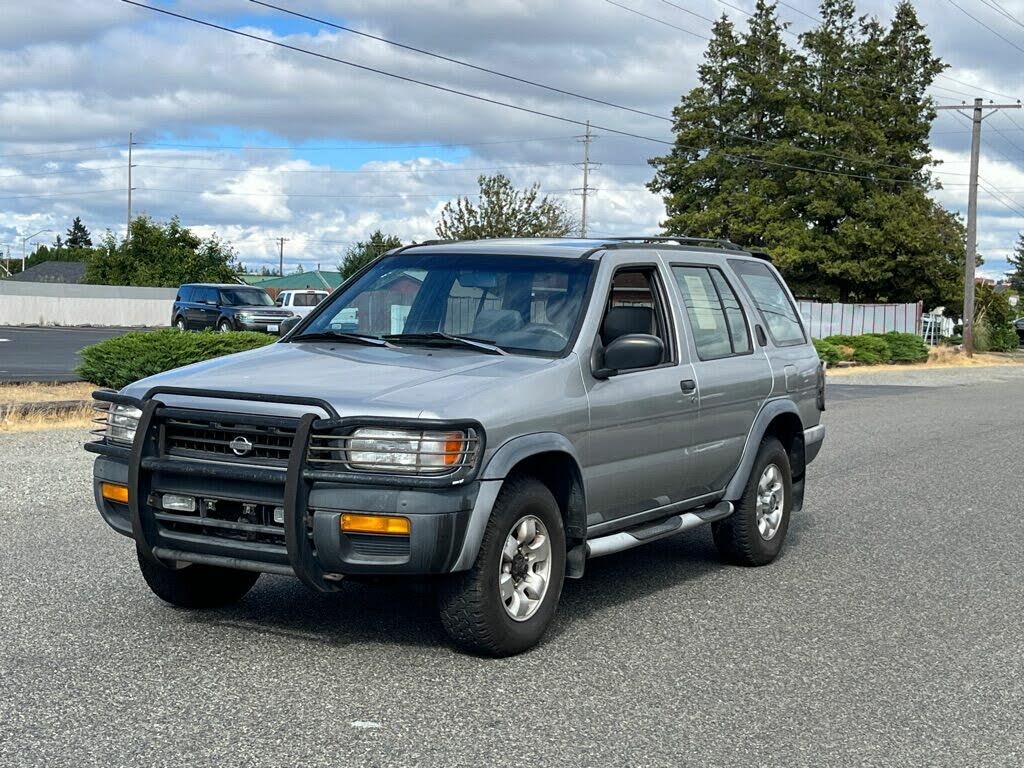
x=61, y=305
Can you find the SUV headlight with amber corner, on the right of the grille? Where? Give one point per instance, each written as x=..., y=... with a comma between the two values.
x=409, y=451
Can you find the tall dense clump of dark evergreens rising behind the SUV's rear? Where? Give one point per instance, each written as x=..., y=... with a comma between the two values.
x=819, y=155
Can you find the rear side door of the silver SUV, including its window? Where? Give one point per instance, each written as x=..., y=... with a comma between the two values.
x=733, y=372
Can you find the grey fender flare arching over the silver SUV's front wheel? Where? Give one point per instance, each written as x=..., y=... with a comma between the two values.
x=493, y=478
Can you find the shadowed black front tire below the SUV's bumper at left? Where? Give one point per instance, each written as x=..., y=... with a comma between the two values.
x=196, y=586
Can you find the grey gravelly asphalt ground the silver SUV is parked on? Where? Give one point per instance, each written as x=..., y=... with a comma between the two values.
x=889, y=633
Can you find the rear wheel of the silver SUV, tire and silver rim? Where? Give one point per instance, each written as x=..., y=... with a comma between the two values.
x=755, y=533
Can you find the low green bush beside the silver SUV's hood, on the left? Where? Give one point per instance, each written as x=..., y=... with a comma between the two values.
x=118, y=362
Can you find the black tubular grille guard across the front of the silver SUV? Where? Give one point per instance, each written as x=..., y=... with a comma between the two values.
x=145, y=457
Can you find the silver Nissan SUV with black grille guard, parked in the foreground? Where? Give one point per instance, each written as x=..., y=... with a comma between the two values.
x=494, y=414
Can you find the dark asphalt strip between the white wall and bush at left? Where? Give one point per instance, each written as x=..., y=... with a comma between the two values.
x=47, y=355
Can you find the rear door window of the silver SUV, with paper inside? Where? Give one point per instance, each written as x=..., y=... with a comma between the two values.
x=717, y=320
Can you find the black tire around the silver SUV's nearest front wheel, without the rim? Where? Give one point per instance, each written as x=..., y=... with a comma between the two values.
x=472, y=608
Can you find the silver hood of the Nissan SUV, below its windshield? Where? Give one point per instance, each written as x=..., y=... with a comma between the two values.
x=406, y=381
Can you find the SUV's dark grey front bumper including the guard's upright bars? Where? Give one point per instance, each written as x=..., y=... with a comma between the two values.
x=310, y=543
